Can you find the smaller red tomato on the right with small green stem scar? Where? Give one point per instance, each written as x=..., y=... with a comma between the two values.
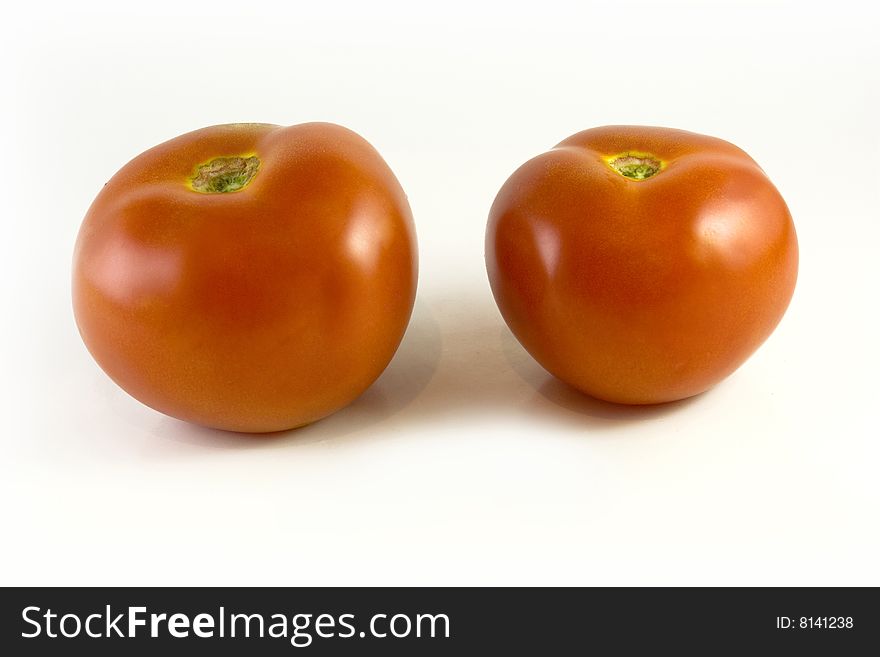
x=641, y=265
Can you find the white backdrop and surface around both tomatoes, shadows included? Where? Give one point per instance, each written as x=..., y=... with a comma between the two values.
x=465, y=463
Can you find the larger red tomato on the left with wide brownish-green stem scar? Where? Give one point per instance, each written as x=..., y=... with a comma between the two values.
x=247, y=277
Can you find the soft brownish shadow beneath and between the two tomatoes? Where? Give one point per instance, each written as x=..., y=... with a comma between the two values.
x=458, y=359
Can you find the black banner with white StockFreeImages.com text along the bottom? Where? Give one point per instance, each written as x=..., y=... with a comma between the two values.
x=437, y=621
